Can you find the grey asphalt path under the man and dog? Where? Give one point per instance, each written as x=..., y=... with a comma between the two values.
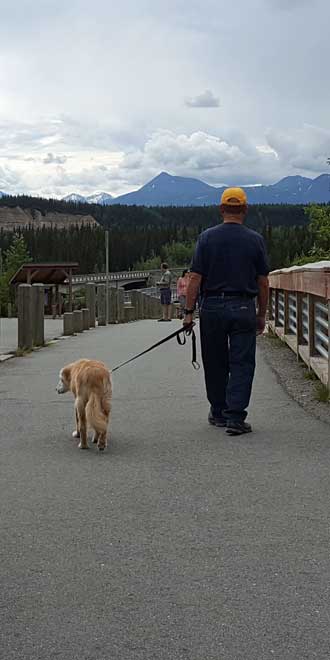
x=179, y=542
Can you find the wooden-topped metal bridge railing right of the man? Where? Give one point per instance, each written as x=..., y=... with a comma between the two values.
x=299, y=313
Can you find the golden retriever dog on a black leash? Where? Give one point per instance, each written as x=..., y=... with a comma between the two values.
x=90, y=383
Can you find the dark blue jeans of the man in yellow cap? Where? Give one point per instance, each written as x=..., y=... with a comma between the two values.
x=228, y=339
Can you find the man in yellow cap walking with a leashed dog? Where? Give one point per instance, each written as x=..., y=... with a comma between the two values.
x=229, y=270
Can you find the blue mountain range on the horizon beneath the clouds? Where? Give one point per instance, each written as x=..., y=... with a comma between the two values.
x=168, y=190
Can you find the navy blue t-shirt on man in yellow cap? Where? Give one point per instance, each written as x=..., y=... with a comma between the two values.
x=230, y=257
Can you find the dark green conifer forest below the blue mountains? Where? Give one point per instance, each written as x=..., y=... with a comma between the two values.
x=142, y=237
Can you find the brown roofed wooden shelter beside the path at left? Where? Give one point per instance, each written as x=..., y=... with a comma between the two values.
x=52, y=275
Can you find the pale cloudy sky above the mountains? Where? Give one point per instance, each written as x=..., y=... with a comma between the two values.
x=103, y=95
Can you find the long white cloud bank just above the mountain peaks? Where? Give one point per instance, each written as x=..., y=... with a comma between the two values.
x=235, y=159
